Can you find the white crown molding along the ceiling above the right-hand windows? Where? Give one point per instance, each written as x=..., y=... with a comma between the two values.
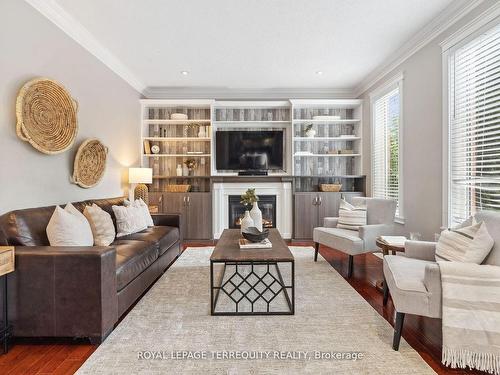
x=443, y=21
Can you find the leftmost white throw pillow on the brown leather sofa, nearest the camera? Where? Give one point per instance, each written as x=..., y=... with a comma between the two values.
x=69, y=227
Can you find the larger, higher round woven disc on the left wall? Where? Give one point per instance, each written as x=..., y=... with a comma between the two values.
x=46, y=116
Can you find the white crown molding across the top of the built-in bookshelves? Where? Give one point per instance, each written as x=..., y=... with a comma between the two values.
x=245, y=93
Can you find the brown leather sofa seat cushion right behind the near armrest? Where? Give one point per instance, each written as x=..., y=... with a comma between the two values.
x=132, y=258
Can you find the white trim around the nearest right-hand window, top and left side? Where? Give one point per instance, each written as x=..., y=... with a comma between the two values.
x=469, y=32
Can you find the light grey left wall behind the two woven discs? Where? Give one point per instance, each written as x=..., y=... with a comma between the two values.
x=108, y=109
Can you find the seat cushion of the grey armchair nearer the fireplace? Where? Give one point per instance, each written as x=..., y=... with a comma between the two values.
x=341, y=239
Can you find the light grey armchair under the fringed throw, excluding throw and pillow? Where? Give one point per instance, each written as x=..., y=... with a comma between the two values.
x=414, y=280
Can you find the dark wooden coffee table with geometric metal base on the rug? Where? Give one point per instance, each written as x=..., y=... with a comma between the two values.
x=256, y=275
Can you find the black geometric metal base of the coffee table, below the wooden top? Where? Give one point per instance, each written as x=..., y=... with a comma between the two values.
x=245, y=284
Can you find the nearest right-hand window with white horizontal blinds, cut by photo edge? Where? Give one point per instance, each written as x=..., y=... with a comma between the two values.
x=474, y=126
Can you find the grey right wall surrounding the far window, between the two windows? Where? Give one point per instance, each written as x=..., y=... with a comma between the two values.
x=422, y=133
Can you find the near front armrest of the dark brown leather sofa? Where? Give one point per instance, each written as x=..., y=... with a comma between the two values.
x=64, y=291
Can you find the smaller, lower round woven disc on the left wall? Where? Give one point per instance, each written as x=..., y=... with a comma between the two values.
x=90, y=163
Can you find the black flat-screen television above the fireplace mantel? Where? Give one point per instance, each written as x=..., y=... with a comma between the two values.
x=249, y=150
